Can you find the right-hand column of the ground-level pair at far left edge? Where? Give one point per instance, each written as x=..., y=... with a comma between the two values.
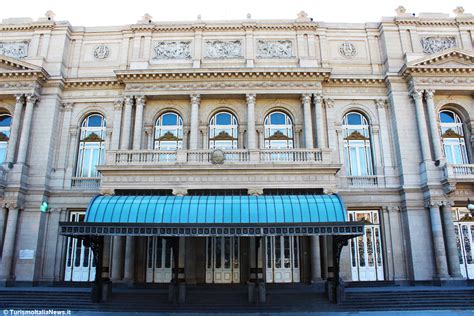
x=9, y=243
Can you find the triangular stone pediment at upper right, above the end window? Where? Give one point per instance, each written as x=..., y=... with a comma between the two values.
x=451, y=58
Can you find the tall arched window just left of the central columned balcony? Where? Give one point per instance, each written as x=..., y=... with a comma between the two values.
x=91, y=146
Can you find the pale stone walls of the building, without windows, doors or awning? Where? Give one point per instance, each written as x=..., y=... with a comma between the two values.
x=399, y=73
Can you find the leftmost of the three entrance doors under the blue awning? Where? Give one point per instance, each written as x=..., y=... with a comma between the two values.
x=159, y=261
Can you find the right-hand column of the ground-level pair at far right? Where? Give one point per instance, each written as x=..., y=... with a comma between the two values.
x=450, y=239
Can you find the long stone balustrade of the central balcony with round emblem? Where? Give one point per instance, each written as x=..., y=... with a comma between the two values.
x=207, y=157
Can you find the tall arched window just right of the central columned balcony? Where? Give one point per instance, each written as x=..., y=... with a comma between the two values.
x=357, y=145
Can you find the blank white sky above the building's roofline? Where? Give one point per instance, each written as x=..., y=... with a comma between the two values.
x=118, y=12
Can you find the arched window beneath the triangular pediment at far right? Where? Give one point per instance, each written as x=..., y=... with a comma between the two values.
x=452, y=134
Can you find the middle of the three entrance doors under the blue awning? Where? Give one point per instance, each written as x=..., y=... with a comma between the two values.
x=222, y=260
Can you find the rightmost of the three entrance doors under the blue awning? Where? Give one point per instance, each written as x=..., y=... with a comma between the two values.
x=282, y=259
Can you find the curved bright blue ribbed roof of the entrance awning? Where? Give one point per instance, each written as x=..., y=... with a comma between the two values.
x=246, y=209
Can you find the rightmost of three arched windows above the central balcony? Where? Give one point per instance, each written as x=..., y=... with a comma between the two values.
x=278, y=131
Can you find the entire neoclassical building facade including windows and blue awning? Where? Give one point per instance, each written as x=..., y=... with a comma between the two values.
x=379, y=115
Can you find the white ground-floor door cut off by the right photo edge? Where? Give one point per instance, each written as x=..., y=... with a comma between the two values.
x=464, y=230
